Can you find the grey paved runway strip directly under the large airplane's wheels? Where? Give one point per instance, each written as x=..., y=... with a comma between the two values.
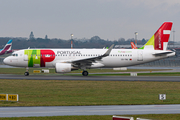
x=99, y=78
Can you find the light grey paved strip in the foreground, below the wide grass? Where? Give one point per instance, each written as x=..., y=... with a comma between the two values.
x=88, y=110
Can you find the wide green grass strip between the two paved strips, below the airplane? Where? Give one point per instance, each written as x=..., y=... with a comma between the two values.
x=78, y=93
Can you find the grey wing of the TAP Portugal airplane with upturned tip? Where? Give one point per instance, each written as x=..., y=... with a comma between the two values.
x=89, y=61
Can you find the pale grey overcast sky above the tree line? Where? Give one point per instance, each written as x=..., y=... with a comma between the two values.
x=108, y=19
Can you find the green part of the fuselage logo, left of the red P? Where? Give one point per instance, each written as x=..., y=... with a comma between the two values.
x=33, y=57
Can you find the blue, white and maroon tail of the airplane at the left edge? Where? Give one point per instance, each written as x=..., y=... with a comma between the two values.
x=7, y=48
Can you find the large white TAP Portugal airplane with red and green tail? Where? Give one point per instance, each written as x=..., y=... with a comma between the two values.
x=66, y=60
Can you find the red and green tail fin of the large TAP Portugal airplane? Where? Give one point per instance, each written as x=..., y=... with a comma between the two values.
x=159, y=40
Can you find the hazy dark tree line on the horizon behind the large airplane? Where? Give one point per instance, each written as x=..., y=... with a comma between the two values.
x=94, y=42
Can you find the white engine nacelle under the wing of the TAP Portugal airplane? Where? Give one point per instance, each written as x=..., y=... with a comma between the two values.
x=63, y=67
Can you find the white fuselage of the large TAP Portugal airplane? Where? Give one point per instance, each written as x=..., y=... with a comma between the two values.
x=117, y=57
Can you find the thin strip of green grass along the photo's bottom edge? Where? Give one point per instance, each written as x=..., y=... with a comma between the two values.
x=97, y=117
